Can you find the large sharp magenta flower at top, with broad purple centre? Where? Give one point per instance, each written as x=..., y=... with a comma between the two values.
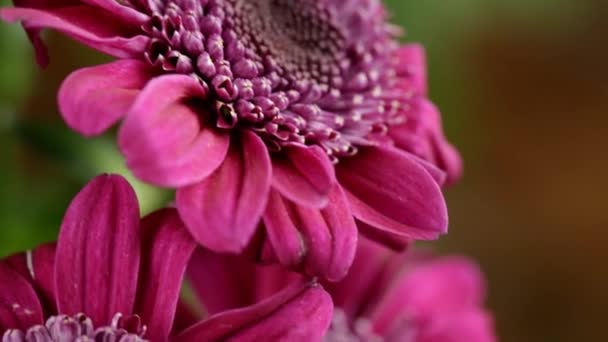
x=305, y=118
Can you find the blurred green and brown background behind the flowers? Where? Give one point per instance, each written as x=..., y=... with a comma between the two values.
x=523, y=86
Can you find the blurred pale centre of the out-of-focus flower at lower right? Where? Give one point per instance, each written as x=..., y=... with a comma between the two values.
x=341, y=330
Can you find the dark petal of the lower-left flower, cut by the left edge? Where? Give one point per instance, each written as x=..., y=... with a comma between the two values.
x=19, y=304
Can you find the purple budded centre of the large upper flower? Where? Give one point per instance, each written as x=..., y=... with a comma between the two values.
x=311, y=72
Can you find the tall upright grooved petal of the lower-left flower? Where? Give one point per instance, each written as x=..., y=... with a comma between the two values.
x=98, y=251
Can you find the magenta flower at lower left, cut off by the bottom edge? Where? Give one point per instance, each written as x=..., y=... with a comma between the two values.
x=111, y=277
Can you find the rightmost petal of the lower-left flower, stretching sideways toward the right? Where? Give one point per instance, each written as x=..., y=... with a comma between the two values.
x=298, y=313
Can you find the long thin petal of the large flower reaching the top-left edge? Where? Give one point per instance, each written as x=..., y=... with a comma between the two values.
x=91, y=26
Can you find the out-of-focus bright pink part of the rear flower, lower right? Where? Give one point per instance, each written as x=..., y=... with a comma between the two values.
x=410, y=298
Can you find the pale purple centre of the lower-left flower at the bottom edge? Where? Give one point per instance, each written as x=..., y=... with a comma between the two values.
x=79, y=328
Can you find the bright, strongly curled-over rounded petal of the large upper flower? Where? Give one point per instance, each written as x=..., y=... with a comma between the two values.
x=165, y=140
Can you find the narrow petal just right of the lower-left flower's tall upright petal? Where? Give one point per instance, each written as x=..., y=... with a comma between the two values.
x=166, y=249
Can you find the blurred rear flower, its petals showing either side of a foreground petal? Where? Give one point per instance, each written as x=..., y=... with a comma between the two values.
x=390, y=297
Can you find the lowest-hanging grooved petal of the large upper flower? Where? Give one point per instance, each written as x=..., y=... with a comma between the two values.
x=322, y=240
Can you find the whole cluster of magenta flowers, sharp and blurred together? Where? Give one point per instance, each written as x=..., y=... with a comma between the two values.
x=294, y=132
